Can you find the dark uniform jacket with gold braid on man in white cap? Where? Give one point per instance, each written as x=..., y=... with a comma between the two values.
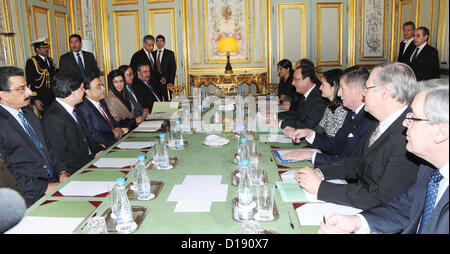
x=40, y=84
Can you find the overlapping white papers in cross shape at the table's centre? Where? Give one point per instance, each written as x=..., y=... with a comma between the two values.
x=198, y=192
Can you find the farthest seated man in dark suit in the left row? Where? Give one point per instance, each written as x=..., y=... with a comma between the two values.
x=146, y=92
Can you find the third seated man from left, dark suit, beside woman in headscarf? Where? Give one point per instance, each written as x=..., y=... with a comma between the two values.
x=101, y=125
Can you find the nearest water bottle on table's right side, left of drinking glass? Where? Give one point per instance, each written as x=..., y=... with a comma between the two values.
x=245, y=194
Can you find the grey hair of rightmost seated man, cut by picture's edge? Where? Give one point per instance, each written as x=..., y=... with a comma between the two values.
x=436, y=106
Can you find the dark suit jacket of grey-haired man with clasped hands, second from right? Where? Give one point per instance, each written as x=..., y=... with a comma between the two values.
x=383, y=170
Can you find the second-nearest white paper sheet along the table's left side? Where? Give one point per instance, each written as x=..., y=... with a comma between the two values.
x=85, y=188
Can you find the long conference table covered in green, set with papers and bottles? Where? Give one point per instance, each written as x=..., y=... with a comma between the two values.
x=195, y=159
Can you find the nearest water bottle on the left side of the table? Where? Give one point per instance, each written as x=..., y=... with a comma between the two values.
x=124, y=215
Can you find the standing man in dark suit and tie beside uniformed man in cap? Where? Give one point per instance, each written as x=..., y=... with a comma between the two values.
x=78, y=61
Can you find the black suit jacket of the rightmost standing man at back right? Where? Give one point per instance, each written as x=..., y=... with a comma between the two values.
x=426, y=64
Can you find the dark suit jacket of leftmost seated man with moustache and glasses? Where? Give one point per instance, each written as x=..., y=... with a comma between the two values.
x=22, y=157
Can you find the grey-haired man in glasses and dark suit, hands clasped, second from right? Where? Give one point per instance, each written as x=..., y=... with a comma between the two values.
x=381, y=165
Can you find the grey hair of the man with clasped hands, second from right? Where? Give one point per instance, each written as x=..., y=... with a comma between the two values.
x=400, y=78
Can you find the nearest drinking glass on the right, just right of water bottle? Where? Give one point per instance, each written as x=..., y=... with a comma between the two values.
x=264, y=202
